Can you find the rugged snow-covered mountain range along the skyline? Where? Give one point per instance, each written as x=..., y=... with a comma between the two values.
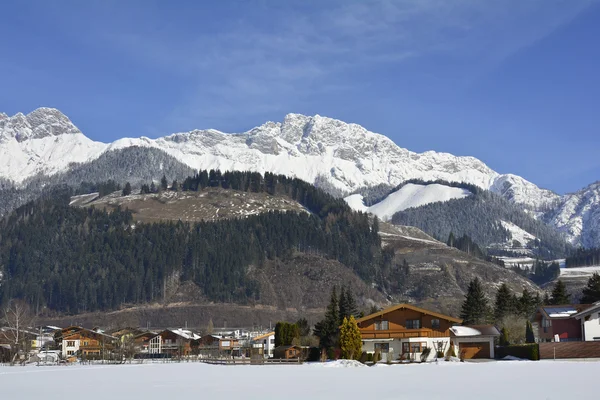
x=313, y=148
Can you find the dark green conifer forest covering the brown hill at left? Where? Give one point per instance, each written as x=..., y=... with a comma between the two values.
x=81, y=259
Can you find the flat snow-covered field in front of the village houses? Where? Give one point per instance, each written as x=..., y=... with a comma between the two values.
x=489, y=380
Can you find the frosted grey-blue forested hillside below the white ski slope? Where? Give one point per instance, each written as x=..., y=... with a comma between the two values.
x=480, y=216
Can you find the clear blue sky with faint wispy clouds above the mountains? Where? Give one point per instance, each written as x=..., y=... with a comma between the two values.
x=515, y=83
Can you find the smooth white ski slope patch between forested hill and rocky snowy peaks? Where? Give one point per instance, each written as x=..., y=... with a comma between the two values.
x=409, y=195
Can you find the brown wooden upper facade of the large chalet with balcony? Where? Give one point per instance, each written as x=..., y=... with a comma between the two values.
x=400, y=322
